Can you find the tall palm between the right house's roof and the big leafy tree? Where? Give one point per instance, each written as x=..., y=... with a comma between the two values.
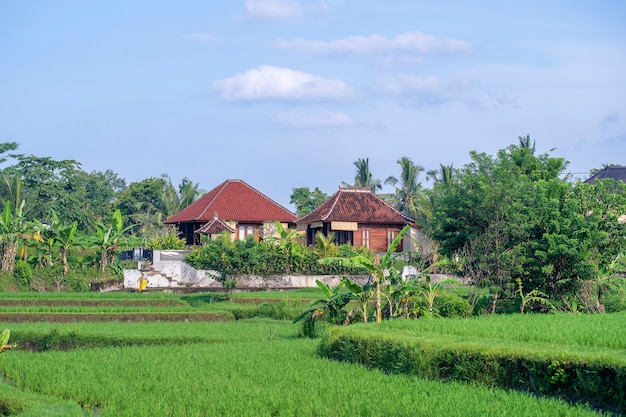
x=406, y=196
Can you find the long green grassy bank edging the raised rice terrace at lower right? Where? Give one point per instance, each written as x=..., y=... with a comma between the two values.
x=593, y=376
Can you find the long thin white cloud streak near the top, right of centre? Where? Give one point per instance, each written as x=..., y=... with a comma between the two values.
x=406, y=43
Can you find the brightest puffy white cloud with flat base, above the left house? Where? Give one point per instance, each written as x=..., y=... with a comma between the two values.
x=281, y=84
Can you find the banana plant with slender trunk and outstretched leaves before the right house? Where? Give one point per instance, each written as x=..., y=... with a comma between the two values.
x=377, y=268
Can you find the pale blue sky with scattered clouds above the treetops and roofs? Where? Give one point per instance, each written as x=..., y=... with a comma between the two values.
x=290, y=93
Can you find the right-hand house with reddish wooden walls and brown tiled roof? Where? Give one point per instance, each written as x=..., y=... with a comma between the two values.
x=358, y=217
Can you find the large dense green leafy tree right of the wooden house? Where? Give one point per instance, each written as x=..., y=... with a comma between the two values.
x=512, y=217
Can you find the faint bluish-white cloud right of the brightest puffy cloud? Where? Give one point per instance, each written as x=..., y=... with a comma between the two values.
x=424, y=91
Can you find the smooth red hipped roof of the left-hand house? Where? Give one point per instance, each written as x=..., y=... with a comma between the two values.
x=233, y=200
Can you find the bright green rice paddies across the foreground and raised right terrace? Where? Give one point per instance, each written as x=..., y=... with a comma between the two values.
x=255, y=367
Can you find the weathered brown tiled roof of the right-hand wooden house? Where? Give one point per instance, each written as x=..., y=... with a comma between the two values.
x=356, y=205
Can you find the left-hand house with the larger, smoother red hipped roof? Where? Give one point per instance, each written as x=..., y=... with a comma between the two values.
x=234, y=207
